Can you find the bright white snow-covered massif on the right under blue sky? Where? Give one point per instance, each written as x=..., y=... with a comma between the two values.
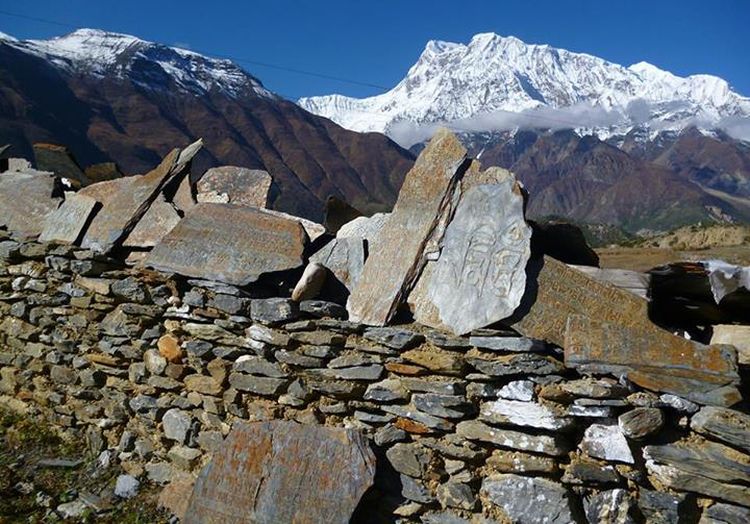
x=497, y=83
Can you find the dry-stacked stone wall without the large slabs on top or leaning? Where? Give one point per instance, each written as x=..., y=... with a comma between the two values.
x=153, y=370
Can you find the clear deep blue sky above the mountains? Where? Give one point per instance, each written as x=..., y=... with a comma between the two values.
x=376, y=42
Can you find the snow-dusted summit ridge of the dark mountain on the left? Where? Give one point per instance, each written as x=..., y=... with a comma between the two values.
x=147, y=64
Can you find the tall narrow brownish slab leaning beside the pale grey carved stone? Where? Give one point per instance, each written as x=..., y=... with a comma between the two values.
x=425, y=198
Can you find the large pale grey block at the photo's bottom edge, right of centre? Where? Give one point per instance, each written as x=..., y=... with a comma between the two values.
x=529, y=500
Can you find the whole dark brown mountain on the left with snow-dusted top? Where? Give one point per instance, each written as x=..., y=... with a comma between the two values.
x=111, y=96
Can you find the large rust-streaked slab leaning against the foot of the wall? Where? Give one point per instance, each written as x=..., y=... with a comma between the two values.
x=279, y=471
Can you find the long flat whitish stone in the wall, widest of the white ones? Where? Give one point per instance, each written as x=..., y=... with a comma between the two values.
x=526, y=414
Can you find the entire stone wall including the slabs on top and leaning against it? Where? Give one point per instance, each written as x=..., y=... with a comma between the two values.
x=432, y=365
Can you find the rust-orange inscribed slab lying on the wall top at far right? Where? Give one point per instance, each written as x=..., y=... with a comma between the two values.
x=654, y=359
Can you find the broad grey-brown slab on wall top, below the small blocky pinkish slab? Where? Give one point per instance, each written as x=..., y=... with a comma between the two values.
x=231, y=244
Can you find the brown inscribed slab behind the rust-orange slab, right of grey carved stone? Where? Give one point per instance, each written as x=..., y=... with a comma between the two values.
x=557, y=291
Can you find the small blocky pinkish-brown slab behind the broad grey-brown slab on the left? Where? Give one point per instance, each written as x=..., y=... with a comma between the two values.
x=235, y=185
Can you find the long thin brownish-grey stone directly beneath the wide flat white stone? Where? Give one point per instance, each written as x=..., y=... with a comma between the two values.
x=506, y=438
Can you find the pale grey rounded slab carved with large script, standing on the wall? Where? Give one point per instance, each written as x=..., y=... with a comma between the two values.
x=479, y=277
